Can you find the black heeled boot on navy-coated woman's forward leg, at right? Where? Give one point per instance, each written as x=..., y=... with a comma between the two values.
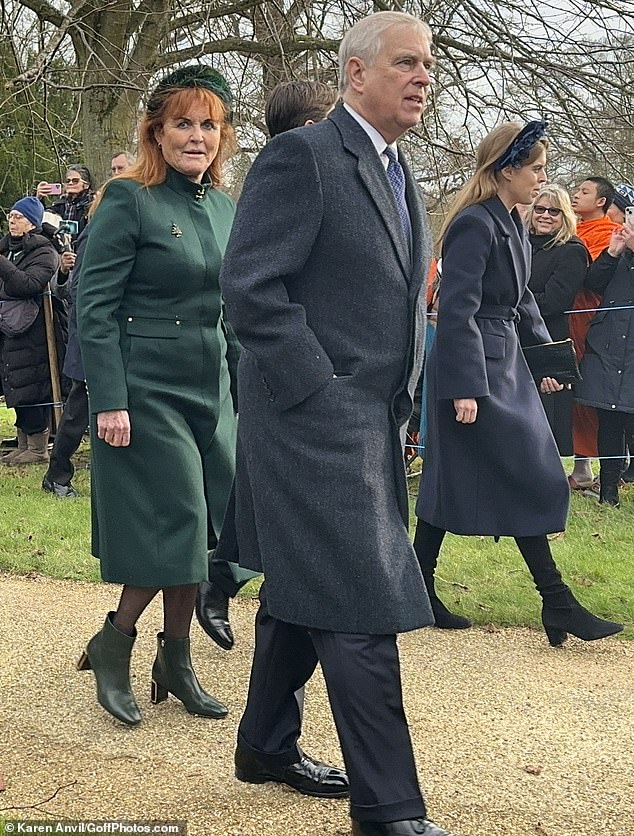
x=561, y=612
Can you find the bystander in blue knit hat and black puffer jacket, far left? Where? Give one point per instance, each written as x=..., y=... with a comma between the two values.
x=28, y=259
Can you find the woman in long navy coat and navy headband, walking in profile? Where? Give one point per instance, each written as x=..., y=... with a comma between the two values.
x=492, y=466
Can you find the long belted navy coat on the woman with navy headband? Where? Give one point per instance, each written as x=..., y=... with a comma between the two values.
x=501, y=475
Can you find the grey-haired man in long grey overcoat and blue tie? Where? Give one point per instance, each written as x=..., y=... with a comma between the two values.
x=327, y=259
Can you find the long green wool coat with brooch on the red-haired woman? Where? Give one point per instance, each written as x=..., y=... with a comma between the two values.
x=154, y=342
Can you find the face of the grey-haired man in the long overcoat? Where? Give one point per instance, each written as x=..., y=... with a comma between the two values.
x=392, y=92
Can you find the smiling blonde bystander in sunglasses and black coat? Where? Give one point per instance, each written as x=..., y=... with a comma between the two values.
x=558, y=270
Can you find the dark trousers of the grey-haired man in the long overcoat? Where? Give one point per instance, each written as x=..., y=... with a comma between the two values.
x=362, y=675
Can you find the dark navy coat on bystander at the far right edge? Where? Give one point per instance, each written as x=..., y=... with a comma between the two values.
x=608, y=364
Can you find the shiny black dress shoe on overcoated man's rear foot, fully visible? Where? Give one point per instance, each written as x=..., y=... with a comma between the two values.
x=307, y=776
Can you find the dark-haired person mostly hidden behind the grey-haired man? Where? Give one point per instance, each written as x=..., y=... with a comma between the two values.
x=291, y=104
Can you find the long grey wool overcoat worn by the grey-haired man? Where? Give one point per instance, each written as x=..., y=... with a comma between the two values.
x=321, y=291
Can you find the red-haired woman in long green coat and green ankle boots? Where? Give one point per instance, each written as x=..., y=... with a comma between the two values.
x=157, y=354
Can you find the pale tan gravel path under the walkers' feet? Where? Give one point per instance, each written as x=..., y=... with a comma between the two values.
x=512, y=737
